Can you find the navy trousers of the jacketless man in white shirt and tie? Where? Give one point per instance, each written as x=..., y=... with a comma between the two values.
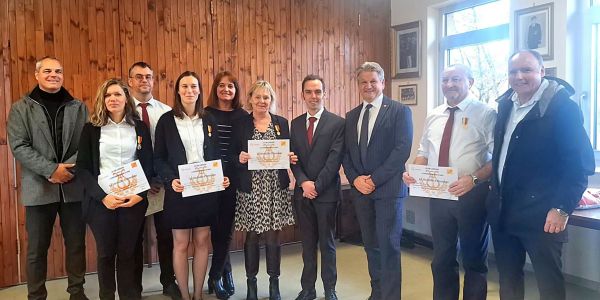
x=460, y=223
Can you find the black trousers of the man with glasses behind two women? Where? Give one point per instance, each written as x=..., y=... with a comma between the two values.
x=164, y=245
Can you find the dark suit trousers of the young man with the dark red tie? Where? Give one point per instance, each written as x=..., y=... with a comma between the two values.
x=317, y=229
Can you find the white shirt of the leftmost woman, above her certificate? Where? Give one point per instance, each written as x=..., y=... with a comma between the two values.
x=118, y=143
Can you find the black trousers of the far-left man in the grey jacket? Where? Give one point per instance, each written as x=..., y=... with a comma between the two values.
x=39, y=222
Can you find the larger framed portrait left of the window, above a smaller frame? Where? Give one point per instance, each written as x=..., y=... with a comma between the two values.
x=406, y=60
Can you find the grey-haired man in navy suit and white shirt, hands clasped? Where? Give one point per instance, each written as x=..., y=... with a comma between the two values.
x=378, y=138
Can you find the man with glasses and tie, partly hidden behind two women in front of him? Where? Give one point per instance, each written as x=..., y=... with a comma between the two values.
x=141, y=83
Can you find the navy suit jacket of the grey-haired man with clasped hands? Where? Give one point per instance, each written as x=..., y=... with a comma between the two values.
x=388, y=149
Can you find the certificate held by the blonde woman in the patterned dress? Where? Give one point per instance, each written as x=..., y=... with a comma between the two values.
x=268, y=154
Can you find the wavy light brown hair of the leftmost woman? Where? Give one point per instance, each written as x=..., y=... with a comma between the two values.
x=99, y=116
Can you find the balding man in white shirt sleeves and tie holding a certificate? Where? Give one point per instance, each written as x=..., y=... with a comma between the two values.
x=458, y=134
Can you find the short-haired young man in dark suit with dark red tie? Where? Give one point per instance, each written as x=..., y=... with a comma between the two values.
x=317, y=137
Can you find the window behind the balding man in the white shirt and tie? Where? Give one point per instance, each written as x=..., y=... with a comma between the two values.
x=475, y=33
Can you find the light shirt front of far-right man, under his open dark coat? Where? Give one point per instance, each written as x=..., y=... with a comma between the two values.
x=517, y=114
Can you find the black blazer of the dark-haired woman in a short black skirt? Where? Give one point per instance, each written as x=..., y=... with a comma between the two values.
x=169, y=151
